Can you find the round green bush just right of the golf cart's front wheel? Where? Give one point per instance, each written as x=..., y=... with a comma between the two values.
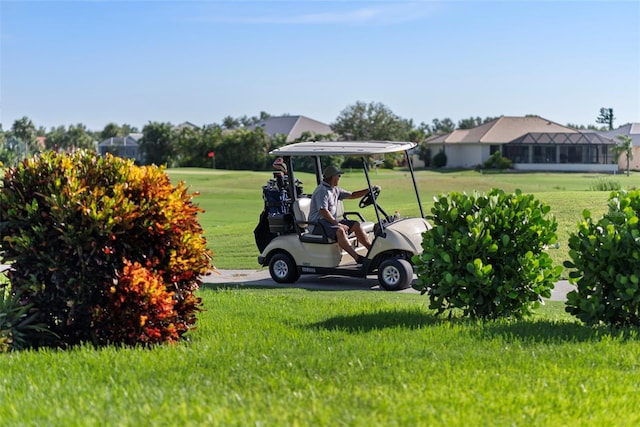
x=486, y=254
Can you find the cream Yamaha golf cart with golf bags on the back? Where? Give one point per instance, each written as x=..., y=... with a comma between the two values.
x=286, y=238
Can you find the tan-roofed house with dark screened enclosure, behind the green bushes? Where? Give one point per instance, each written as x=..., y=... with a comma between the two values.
x=532, y=143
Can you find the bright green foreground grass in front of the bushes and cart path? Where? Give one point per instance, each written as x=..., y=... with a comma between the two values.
x=285, y=357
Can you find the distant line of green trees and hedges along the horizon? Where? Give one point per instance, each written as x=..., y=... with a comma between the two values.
x=232, y=143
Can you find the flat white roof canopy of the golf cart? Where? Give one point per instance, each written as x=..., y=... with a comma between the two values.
x=342, y=148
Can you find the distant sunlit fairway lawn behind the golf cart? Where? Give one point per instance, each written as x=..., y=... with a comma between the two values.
x=233, y=200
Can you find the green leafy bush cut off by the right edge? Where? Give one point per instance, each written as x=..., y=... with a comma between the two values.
x=605, y=256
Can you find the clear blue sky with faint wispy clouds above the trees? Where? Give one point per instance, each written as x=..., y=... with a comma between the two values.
x=96, y=62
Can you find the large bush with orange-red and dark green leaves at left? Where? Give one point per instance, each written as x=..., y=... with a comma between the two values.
x=88, y=236
